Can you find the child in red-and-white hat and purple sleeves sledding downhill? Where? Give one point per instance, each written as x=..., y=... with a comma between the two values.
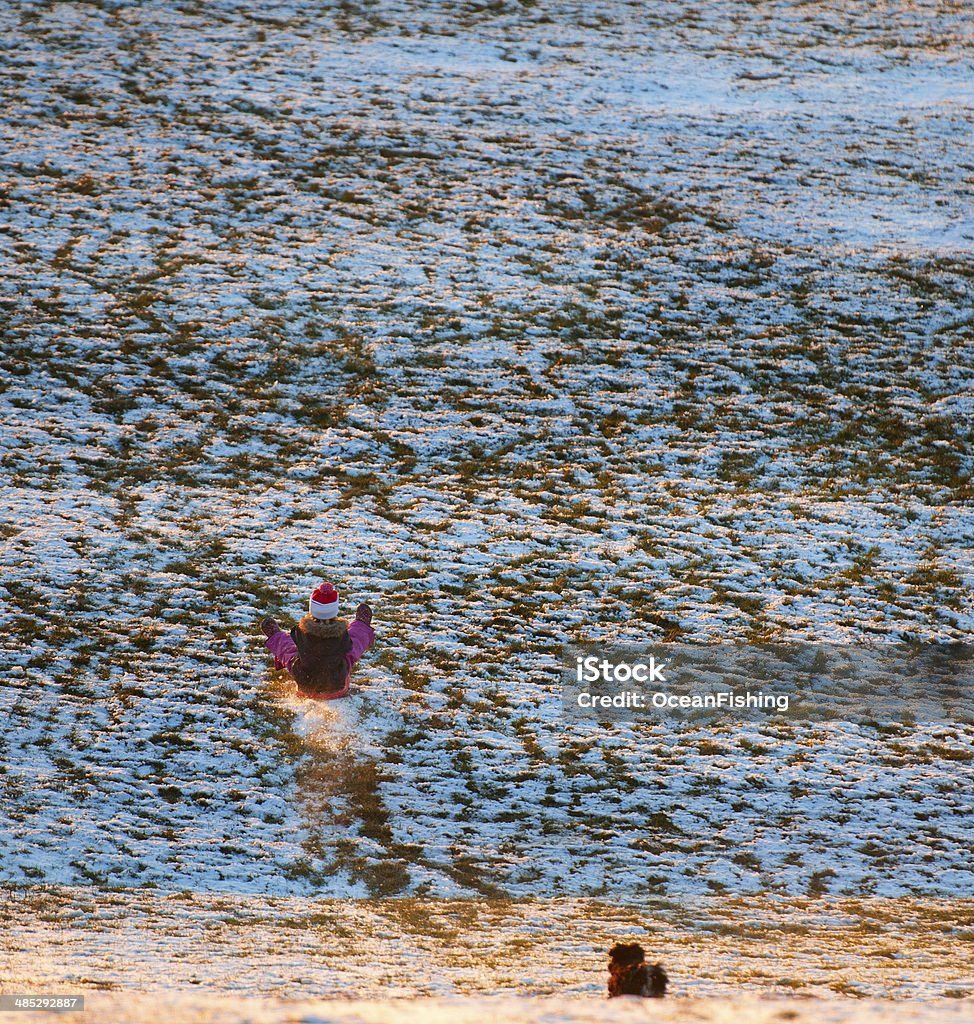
x=321, y=651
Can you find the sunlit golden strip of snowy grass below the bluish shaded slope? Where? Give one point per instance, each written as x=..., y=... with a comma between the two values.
x=64, y=940
